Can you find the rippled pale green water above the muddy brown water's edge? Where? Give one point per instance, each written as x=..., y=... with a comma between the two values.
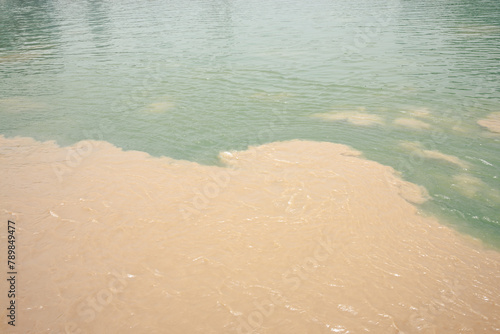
x=188, y=79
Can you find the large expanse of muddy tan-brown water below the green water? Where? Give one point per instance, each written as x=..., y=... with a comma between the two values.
x=288, y=237
